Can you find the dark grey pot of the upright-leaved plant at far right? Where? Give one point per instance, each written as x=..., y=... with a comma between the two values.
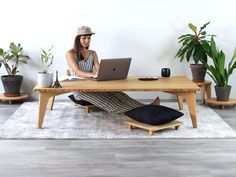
x=222, y=92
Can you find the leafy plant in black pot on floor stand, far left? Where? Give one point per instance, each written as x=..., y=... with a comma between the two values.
x=11, y=59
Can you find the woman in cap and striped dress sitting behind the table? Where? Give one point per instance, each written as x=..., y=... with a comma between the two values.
x=84, y=63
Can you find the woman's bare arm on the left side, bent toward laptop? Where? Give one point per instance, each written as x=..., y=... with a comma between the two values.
x=74, y=66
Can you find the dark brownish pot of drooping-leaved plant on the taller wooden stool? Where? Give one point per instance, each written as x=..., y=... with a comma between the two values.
x=198, y=72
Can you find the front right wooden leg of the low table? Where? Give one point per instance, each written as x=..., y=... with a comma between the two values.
x=191, y=102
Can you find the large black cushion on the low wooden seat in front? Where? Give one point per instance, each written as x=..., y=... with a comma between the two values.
x=154, y=114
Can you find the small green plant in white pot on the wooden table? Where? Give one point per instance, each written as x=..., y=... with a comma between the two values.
x=45, y=78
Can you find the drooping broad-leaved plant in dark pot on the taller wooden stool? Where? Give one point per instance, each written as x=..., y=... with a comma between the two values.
x=192, y=48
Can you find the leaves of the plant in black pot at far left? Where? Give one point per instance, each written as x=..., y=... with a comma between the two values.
x=12, y=58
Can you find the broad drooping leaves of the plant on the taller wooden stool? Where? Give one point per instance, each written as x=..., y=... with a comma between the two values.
x=192, y=44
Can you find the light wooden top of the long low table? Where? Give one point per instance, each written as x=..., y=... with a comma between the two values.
x=132, y=83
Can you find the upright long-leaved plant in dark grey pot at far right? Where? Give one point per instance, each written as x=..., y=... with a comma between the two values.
x=218, y=70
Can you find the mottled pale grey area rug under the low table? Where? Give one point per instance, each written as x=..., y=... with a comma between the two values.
x=68, y=121
